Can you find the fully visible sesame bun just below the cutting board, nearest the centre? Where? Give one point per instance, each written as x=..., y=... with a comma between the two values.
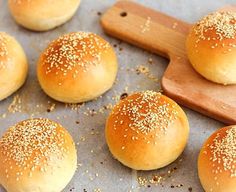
x=147, y=131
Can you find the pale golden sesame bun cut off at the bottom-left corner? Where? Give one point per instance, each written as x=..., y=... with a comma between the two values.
x=37, y=155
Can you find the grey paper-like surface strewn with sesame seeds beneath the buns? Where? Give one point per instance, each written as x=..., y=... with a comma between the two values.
x=138, y=70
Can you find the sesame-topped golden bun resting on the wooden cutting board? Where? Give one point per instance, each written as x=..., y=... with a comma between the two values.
x=211, y=47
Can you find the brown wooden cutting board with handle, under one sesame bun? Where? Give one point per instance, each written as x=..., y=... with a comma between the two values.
x=165, y=35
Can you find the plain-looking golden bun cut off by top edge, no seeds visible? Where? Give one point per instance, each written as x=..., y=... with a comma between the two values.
x=43, y=15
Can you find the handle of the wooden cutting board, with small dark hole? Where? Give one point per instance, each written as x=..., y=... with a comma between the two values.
x=146, y=28
